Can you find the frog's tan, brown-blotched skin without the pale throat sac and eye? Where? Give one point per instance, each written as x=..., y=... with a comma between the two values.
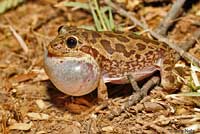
x=117, y=54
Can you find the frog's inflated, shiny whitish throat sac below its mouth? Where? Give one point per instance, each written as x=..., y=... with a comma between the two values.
x=73, y=74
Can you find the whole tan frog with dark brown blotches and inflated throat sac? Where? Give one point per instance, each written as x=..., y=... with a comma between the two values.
x=78, y=60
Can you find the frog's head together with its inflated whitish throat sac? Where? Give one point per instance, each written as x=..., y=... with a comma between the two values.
x=71, y=70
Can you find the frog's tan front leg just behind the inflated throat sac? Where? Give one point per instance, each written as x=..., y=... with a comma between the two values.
x=102, y=91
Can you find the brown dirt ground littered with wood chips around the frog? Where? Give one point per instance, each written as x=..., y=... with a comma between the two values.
x=30, y=104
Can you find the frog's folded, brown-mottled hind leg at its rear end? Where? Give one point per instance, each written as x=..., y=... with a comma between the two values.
x=168, y=78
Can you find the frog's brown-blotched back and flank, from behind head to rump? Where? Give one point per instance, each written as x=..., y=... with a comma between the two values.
x=121, y=52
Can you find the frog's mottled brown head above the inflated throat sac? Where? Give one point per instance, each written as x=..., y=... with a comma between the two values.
x=68, y=42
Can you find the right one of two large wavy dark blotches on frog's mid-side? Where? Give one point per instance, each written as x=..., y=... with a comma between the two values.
x=122, y=49
